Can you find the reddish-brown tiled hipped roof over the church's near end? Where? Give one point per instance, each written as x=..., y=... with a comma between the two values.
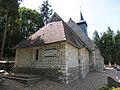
x=52, y=32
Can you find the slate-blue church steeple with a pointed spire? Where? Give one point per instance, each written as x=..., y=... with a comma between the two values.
x=82, y=23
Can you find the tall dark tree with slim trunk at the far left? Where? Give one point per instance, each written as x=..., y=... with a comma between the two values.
x=9, y=12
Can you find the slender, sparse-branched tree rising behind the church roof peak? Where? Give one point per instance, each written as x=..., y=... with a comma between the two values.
x=45, y=11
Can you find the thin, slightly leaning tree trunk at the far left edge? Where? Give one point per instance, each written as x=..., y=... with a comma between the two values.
x=4, y=37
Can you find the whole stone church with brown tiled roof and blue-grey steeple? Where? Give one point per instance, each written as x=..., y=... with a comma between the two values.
x=59, y=51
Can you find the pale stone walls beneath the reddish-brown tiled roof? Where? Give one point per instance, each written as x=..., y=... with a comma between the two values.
x=59, y=61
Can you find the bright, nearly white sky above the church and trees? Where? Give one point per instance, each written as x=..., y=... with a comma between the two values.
x=99, y=14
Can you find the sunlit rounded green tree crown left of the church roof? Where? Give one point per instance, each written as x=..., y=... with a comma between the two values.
x=30, y=21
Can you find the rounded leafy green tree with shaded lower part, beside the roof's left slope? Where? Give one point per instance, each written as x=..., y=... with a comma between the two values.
x=29, y=21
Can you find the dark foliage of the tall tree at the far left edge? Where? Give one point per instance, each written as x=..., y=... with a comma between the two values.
x=8, y=15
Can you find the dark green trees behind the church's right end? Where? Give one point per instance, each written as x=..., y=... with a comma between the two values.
x=109, y=44
